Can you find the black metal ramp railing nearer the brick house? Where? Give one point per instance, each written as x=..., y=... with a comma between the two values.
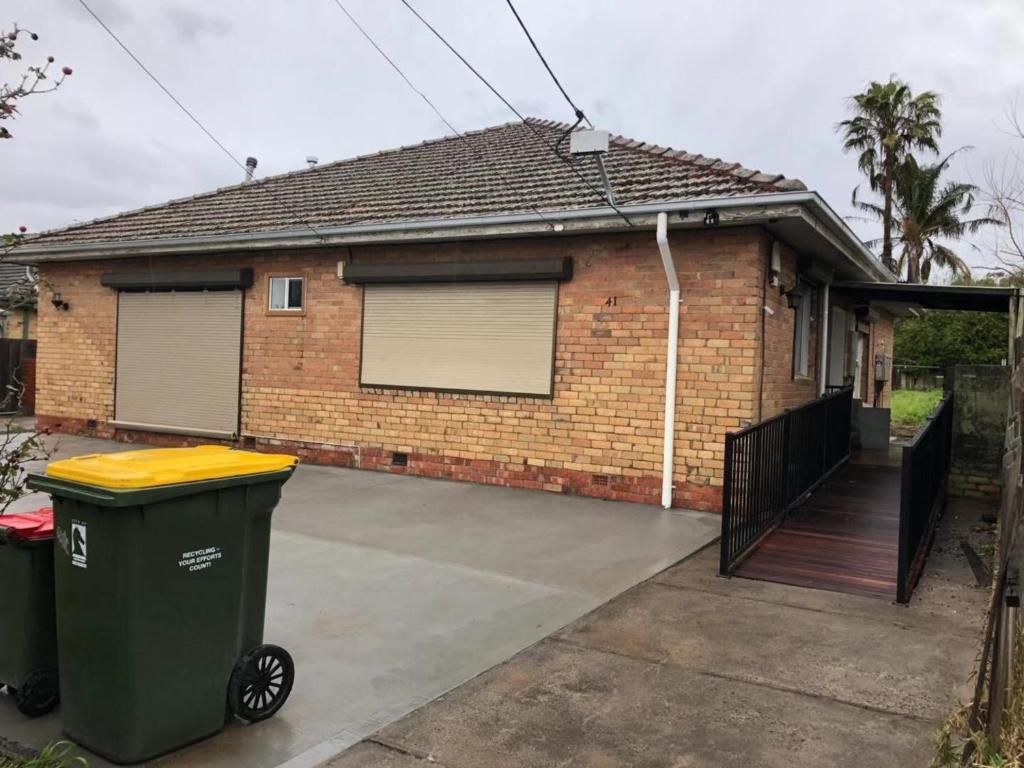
x=773, y=465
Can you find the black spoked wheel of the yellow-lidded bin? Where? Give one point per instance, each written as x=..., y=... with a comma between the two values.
x=261, y=684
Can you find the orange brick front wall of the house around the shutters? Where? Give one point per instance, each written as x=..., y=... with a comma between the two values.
x=600, y=436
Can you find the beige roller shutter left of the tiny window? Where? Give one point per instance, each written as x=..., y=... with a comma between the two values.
x=179, y=362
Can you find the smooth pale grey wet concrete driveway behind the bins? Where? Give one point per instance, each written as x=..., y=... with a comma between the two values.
x=391, y=591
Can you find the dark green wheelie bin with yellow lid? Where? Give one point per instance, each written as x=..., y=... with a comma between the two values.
x=161, y=567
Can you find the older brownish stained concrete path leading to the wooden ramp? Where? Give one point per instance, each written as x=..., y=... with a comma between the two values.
x=694, y=671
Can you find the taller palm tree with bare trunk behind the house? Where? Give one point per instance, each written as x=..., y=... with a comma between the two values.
x=889, y=123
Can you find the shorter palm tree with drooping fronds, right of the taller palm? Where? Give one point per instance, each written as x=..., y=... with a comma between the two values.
x=928, y=210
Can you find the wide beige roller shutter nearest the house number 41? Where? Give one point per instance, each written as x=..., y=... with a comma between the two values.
x=479, y=337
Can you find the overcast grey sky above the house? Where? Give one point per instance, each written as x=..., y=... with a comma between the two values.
x=750, y=81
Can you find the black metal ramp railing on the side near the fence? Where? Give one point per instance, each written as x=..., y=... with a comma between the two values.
x=923, y=492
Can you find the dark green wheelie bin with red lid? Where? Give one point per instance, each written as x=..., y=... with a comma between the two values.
x=28, y=623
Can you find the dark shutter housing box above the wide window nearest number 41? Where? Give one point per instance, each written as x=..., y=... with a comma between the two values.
x=459, y=272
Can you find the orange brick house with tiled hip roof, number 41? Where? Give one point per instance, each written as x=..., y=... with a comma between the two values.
x=471, y=309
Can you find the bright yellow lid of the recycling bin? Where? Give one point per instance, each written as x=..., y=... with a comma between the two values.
x=143, y=470
